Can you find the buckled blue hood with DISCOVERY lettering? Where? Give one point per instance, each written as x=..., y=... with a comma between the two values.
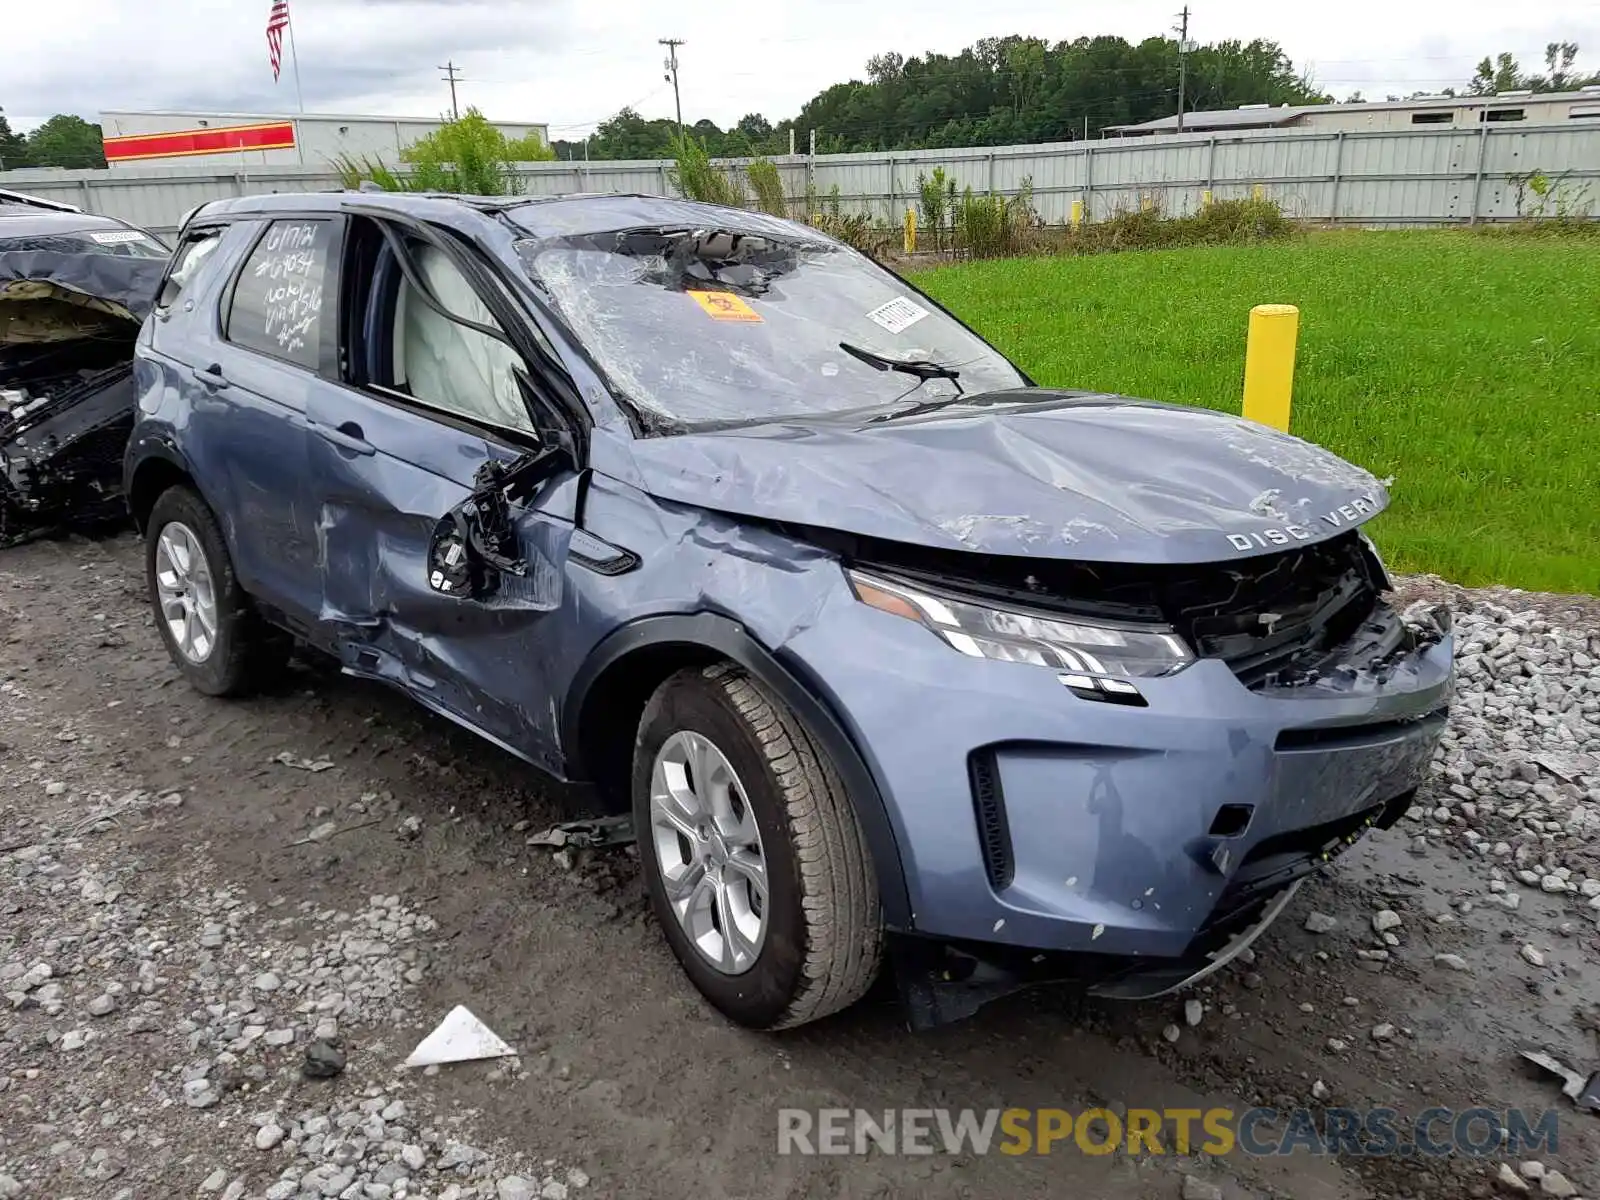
x=1030, y=473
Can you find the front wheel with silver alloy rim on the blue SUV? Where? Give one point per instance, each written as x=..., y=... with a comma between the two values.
x=754, y=860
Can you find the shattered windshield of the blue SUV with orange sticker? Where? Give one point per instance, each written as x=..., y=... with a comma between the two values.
x=710, y=327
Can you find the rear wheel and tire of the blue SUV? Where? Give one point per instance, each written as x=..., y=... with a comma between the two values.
x=212, y=631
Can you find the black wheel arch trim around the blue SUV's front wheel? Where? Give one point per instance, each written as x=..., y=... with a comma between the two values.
x=609, y=695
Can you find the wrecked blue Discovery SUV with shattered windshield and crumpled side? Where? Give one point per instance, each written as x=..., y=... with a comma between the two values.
x=892, y=655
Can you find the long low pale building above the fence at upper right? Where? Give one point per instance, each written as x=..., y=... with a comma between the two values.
x=1425, y=113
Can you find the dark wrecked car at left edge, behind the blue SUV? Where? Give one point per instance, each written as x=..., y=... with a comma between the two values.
x=74, y=289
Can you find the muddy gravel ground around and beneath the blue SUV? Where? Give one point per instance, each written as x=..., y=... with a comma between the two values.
x=225, y=926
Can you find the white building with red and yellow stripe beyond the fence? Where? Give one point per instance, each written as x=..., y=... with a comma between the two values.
x=266, y=140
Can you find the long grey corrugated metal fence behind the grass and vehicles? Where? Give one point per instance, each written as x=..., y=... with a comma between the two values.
x=1417, y=177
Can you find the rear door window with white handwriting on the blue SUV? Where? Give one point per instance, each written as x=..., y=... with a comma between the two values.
x=278, y=302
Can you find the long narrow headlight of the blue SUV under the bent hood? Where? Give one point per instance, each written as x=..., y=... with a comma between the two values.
x=1017, y=636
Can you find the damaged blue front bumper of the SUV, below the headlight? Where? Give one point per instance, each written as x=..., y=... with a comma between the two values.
x=1122, y=847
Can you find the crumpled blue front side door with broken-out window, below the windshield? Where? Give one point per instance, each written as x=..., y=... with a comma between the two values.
x=399, y=441
